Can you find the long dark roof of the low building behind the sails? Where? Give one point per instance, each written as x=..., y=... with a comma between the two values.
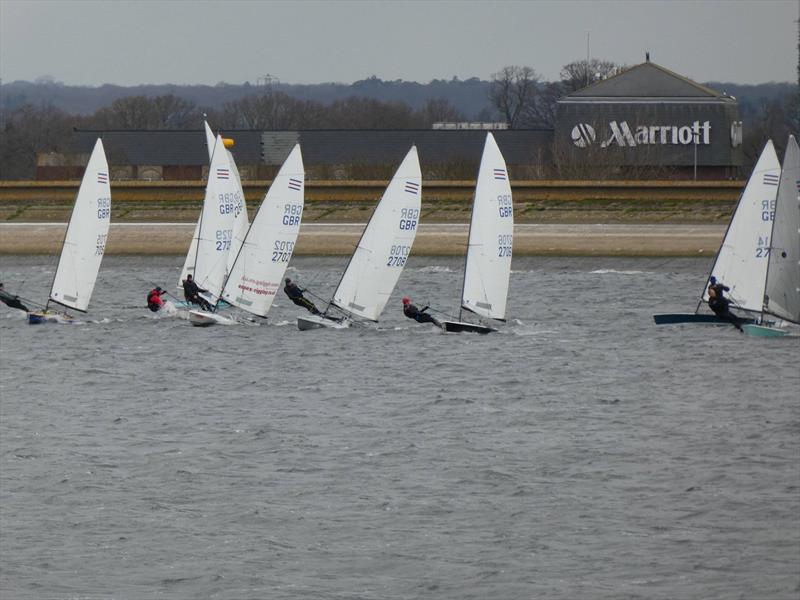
x=319, y=146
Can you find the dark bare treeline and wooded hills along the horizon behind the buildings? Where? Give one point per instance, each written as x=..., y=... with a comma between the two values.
x=515, y=95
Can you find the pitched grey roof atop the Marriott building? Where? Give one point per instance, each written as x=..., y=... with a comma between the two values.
x=647, y=80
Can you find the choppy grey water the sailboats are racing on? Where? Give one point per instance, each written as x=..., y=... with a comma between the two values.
x=580, y=452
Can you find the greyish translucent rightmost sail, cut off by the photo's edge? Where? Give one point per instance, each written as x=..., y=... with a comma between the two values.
x=782, y=297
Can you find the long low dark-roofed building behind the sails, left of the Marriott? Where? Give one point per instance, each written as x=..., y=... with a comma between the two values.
x=327, y=153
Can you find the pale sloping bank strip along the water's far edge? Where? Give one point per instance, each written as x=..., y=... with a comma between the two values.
x=433, y=239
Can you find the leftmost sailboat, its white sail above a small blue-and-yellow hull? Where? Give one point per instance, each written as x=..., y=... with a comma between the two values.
x=84, y=243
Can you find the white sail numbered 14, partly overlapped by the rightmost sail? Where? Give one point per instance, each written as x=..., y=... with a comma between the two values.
x=741, y=262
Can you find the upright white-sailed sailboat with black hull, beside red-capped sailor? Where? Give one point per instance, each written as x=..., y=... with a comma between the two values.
x=489, y=248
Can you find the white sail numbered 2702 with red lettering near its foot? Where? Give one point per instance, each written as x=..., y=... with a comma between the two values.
x=259, y=266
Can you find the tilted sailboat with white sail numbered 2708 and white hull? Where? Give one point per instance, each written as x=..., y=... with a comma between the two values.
x=381, y=253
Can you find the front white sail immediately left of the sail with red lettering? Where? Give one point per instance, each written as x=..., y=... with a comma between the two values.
x=216, y=223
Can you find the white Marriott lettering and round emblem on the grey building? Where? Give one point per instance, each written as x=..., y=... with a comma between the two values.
x=621, y=134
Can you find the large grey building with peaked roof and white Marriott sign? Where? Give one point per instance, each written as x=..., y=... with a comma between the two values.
x=648, y=119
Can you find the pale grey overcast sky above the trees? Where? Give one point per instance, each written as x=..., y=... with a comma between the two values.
x=205, y=42
